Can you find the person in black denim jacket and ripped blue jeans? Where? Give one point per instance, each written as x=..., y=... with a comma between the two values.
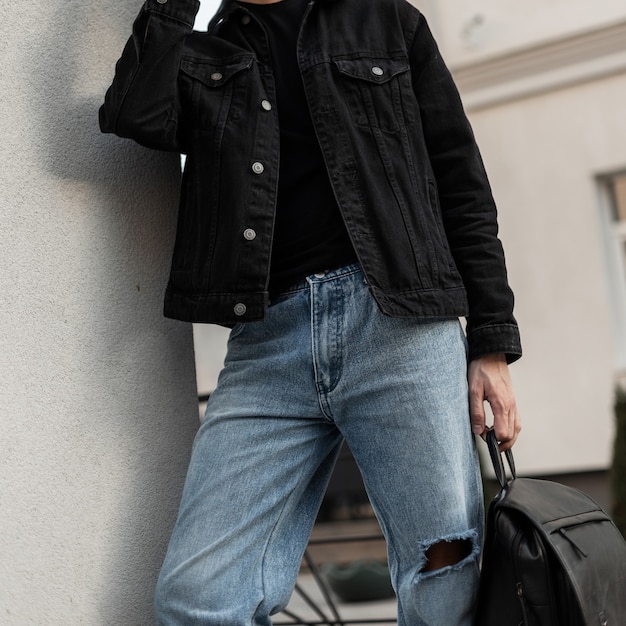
x=335, y=212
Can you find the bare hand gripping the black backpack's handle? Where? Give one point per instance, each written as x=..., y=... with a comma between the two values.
x=489, y=380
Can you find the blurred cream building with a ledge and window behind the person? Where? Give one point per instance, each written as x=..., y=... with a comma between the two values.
x=544, y=84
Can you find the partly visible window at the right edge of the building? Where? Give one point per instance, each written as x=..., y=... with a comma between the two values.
x=613, y=197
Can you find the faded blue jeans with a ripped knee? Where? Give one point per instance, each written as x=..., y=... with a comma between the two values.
x=326, y=364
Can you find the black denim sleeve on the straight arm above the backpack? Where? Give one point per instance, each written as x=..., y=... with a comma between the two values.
x=468, y=209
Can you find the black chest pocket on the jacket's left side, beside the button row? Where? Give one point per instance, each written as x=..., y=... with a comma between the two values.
x=212, y=93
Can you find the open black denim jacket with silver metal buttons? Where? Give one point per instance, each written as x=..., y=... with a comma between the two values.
x=400, y=153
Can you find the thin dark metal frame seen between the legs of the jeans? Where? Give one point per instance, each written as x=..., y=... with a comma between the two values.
x=334, y=618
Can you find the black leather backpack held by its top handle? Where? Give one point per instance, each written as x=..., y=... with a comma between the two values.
x=552, y=556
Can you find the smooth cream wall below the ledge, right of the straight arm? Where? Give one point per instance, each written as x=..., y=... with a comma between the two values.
x=543, y=154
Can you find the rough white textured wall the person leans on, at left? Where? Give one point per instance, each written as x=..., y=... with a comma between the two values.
x=97, y=390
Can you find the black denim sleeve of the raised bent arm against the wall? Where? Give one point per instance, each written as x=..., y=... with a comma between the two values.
x=143, y=101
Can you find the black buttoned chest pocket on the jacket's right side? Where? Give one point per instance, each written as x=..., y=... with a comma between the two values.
x=376, y=90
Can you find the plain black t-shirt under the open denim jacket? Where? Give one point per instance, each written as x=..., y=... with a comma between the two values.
x=309, y=233
